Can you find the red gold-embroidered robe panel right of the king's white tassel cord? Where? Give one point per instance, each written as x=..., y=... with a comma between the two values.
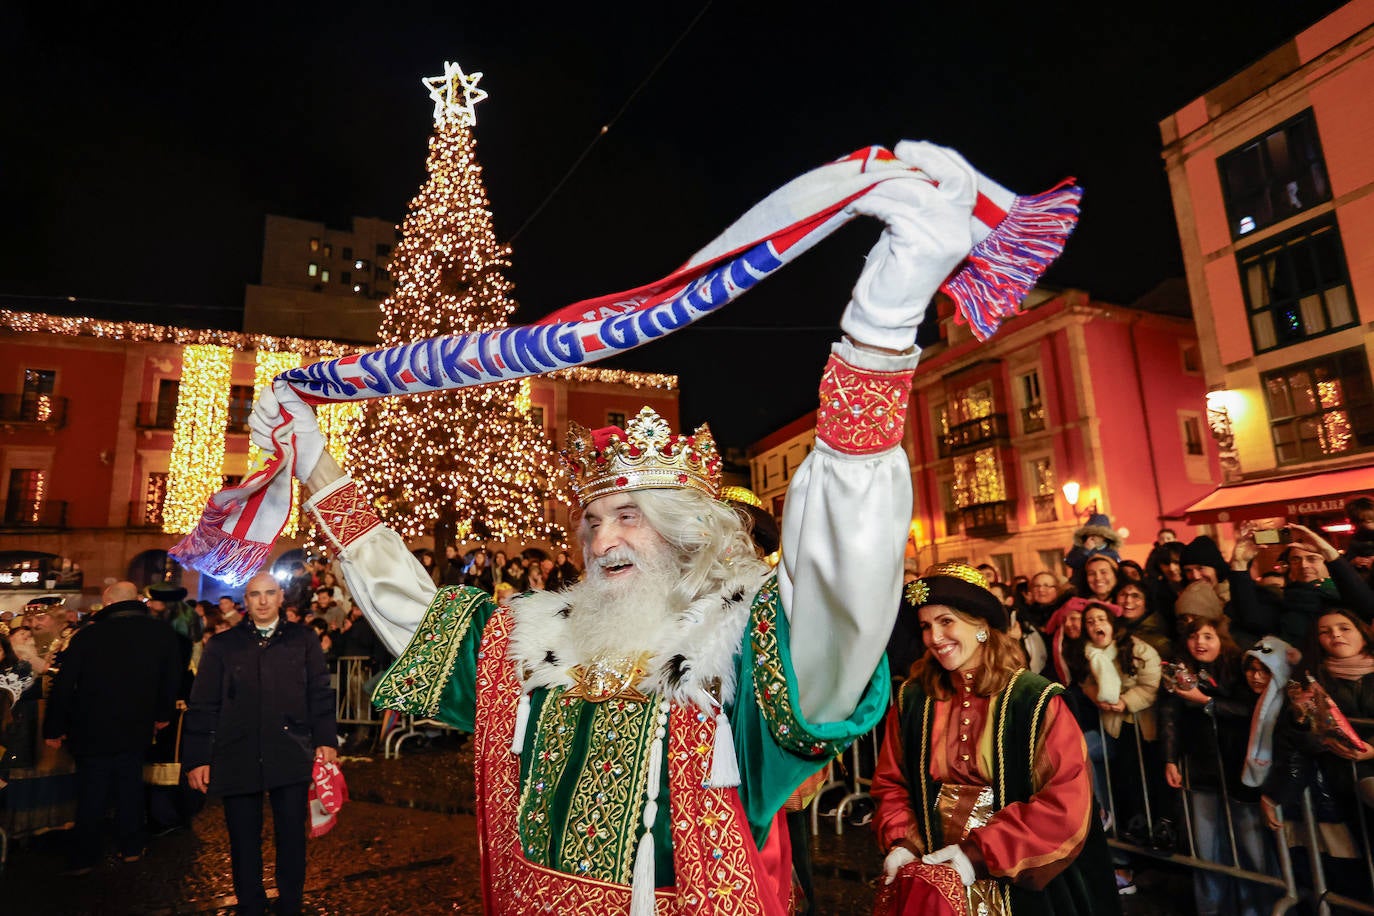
x=714, y=852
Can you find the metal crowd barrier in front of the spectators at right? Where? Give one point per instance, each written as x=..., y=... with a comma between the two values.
x=1320, y=895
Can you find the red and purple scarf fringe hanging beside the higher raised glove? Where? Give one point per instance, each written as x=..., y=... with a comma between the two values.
x=1004, y=268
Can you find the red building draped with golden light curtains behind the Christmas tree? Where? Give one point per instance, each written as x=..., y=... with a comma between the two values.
x=91, y=417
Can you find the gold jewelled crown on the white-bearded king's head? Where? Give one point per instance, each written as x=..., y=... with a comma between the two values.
x=645, y=455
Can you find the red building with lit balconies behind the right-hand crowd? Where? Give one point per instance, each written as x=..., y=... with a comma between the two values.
x=1074, y=391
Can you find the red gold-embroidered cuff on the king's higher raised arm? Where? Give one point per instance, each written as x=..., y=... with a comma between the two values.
x=862, y=411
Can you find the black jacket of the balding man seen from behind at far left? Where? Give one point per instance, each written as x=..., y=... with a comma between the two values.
x=120, y=675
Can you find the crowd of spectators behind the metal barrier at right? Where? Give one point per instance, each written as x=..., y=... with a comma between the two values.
x=1211, y=683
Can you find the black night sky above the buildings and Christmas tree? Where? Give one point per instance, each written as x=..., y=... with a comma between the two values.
x=144, y=145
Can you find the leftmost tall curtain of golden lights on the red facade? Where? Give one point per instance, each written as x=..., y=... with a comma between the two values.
x=203, y=415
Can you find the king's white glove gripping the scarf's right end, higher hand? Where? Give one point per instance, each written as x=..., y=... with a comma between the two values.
x=930, y=233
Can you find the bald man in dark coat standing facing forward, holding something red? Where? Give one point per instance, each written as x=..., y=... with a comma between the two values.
x=262, y=713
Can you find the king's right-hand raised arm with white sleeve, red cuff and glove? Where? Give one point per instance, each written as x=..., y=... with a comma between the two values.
x=850, y=505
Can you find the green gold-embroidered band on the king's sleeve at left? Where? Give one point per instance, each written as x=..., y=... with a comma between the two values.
x=416, y=682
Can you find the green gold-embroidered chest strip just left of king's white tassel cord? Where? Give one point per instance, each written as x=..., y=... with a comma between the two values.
x=608, y=803
